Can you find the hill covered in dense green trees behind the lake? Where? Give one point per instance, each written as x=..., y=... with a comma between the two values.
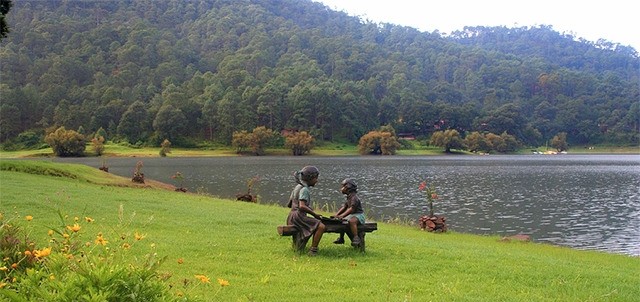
x=193, y=71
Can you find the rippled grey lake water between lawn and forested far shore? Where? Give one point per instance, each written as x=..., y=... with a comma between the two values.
x=581, y=201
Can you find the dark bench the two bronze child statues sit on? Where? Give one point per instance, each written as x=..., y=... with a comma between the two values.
x=332, y=226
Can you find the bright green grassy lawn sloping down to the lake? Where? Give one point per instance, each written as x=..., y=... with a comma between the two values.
x=237, y=242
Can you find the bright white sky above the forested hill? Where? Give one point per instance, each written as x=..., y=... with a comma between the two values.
x=613, y=20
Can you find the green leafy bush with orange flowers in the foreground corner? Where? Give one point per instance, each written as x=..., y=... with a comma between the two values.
x=72, y=267
